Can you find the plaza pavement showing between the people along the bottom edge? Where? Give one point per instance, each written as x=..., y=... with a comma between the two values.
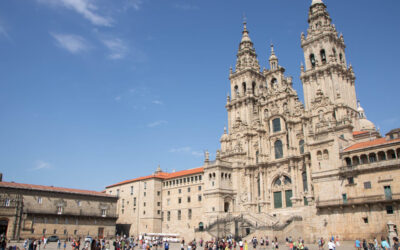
x=175, y=246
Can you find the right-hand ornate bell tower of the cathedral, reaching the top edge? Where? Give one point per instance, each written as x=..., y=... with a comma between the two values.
x=326, y=70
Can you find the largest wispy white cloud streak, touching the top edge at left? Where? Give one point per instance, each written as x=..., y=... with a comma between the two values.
x=86, y=8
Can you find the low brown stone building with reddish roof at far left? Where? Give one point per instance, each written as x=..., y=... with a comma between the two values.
x=33, y=211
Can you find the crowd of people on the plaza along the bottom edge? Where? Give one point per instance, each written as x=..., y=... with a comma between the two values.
x=226, y=243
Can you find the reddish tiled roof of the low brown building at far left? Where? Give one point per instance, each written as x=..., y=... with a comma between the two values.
x=52, y=189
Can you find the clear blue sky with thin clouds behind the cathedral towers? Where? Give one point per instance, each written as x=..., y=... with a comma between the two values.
x=93, y=92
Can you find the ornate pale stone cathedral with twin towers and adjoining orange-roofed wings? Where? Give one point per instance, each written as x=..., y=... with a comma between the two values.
x=284, y=168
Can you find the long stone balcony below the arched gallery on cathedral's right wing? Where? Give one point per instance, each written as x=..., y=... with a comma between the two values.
x=361, y=200
